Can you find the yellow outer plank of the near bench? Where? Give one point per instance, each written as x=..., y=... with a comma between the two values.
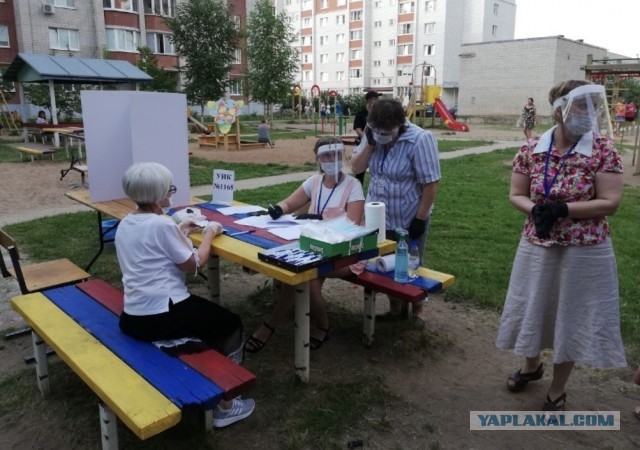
x=139, y=405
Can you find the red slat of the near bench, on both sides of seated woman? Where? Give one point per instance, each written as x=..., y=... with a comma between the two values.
x=232, y=378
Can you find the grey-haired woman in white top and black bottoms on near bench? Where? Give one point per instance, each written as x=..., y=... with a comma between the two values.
x=154, y=253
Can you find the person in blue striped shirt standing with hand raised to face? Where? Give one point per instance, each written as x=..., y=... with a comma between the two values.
x=405, y=172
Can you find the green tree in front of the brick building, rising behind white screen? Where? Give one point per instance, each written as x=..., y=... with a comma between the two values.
x=206, y=36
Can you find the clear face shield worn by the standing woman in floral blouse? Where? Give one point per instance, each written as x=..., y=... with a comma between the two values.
x=585, y=109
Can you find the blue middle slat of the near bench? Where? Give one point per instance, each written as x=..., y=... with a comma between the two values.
x=181, y=384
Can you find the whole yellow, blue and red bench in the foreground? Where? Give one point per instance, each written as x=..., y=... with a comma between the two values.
x=146, y=388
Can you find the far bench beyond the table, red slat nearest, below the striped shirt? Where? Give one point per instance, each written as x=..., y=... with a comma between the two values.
x=374, y=283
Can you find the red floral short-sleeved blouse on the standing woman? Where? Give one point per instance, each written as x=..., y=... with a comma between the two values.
x=575, y=182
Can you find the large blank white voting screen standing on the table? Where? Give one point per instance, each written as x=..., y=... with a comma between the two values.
x=126, y=127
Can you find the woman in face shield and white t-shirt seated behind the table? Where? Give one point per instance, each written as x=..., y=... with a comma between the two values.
x=329, y=194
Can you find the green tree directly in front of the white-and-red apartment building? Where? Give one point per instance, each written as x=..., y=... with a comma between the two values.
x=273, y=62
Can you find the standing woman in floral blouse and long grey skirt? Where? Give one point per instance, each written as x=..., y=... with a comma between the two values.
x=563, y=292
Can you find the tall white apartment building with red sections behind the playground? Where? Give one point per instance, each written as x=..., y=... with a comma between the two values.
x=351, y=45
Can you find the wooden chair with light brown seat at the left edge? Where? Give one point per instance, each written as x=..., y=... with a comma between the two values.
x=40, y=276
